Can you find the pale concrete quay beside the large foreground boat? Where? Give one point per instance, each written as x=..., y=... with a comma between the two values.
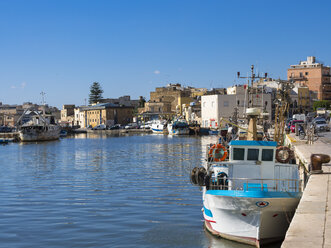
x=311, y=225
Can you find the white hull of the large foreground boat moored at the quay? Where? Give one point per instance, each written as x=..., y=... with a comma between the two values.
x=251, y=220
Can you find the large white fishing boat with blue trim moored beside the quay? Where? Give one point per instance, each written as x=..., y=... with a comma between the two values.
x=250, y=190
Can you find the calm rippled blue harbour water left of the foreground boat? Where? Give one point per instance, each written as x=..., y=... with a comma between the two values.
x=102, y=191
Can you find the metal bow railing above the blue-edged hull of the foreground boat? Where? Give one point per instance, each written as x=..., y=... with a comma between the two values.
x=249, y=184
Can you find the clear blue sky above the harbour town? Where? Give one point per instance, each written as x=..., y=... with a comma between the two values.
x=132, y=47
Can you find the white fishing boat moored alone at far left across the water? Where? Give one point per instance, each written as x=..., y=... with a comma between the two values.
x=38, y=128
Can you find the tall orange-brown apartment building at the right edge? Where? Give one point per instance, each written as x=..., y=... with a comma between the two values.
x=314, y=75
